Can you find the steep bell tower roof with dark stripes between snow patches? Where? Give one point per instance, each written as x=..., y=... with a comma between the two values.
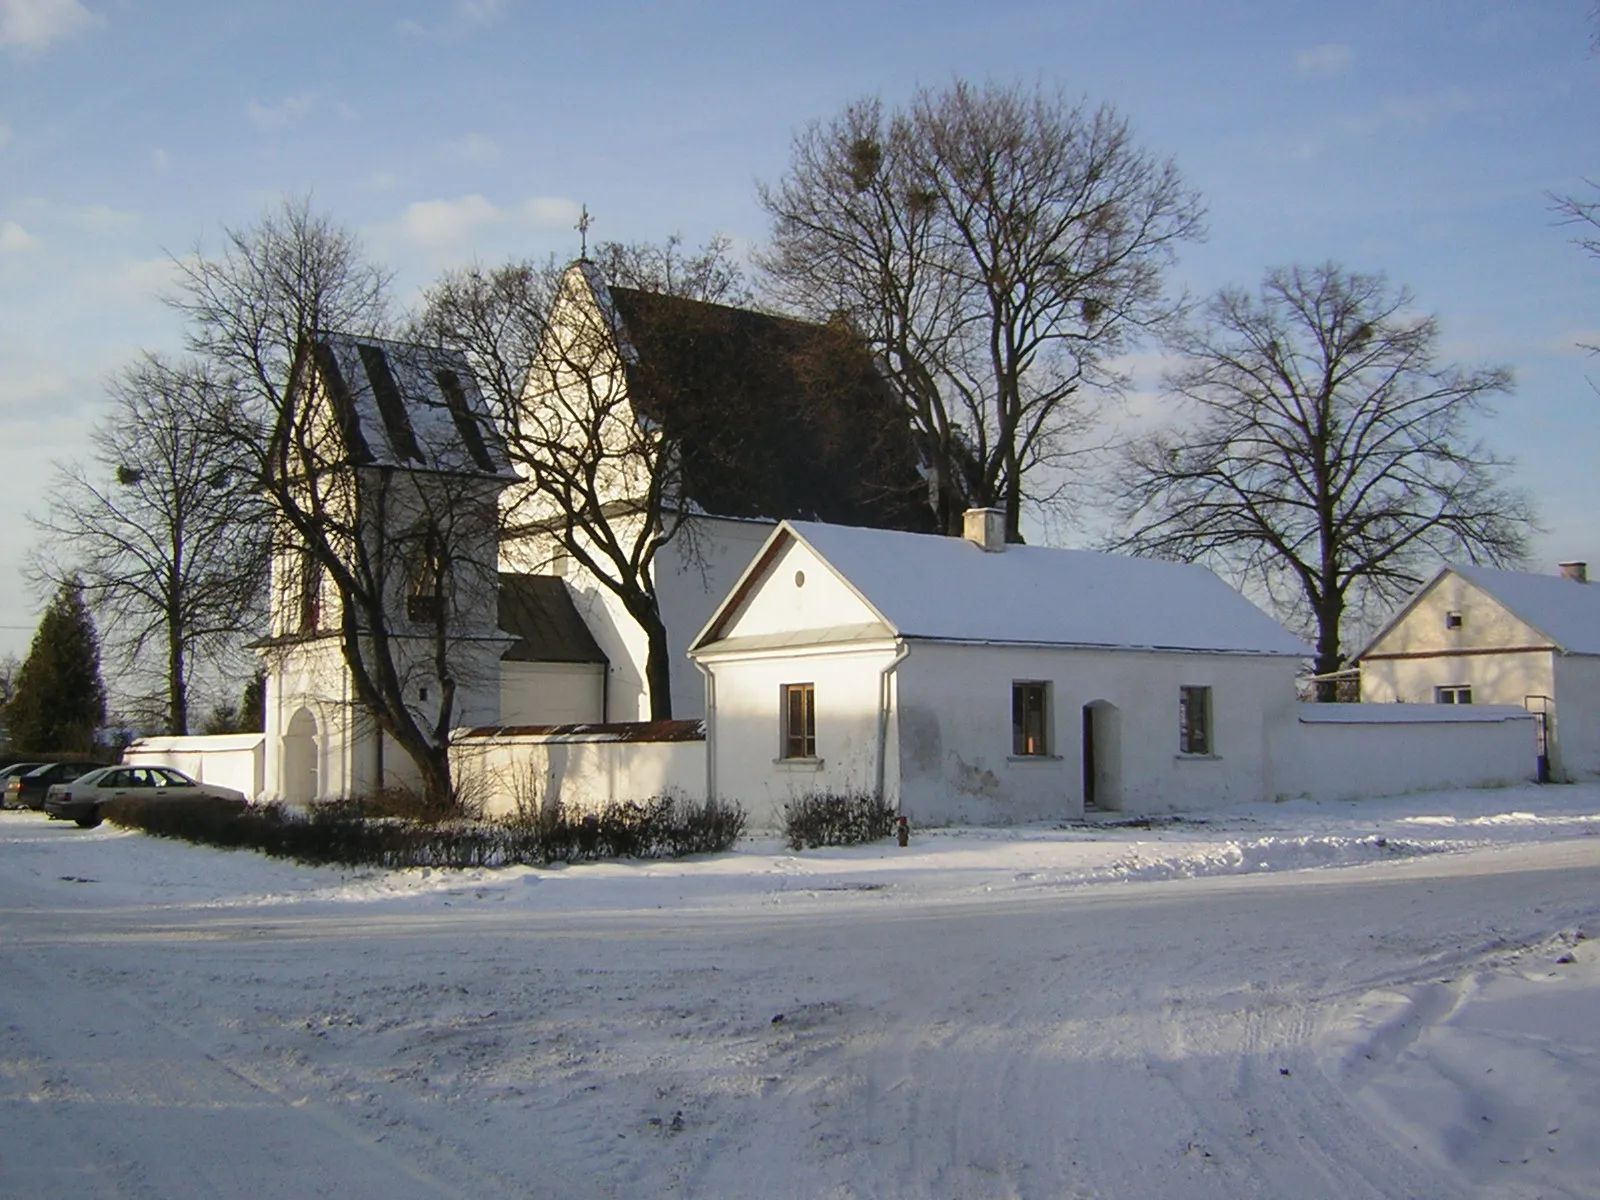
x=409, y=406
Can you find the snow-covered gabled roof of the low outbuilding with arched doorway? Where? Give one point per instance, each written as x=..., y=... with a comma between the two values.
x=935, y=588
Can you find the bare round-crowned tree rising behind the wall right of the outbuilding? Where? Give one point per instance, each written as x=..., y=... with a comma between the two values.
x=1329, y=452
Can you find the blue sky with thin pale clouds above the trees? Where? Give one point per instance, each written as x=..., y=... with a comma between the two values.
x=1410, y=138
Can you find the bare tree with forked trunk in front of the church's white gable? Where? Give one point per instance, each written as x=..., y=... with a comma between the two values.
x=604, y=476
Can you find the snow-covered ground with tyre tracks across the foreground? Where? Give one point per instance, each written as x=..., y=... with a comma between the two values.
x=1292, y=1001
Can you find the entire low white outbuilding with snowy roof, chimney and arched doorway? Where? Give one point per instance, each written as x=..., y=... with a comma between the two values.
x=972, y=681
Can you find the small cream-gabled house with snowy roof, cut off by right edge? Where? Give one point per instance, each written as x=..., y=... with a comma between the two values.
x=1514, y=639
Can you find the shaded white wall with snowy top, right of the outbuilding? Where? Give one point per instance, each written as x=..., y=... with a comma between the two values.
x=1350, y=751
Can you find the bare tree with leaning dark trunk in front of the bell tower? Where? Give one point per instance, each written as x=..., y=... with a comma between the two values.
x=260, y=311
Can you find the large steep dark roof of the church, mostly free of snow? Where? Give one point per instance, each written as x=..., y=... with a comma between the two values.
x=777, y=418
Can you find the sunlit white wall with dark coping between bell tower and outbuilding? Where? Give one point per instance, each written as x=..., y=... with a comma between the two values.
x=580, y=767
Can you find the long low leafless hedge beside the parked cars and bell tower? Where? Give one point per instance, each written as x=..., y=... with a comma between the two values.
x=340, y=834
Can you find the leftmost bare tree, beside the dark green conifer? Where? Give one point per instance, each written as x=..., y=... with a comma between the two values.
x=166, y=527
